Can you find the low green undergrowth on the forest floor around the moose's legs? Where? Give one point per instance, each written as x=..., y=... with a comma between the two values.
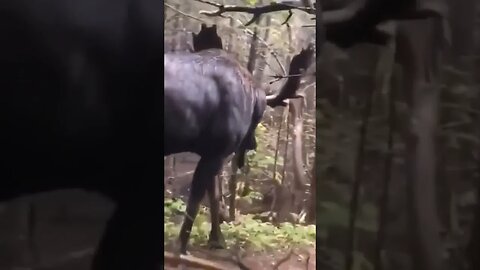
x=246, y=232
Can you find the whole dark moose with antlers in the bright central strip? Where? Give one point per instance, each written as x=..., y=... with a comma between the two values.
x=212, y=107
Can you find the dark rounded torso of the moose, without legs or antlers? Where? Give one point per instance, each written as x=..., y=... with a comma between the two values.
x=209, y=102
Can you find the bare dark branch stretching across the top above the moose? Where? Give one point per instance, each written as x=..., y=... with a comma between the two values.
x=255, y=11
